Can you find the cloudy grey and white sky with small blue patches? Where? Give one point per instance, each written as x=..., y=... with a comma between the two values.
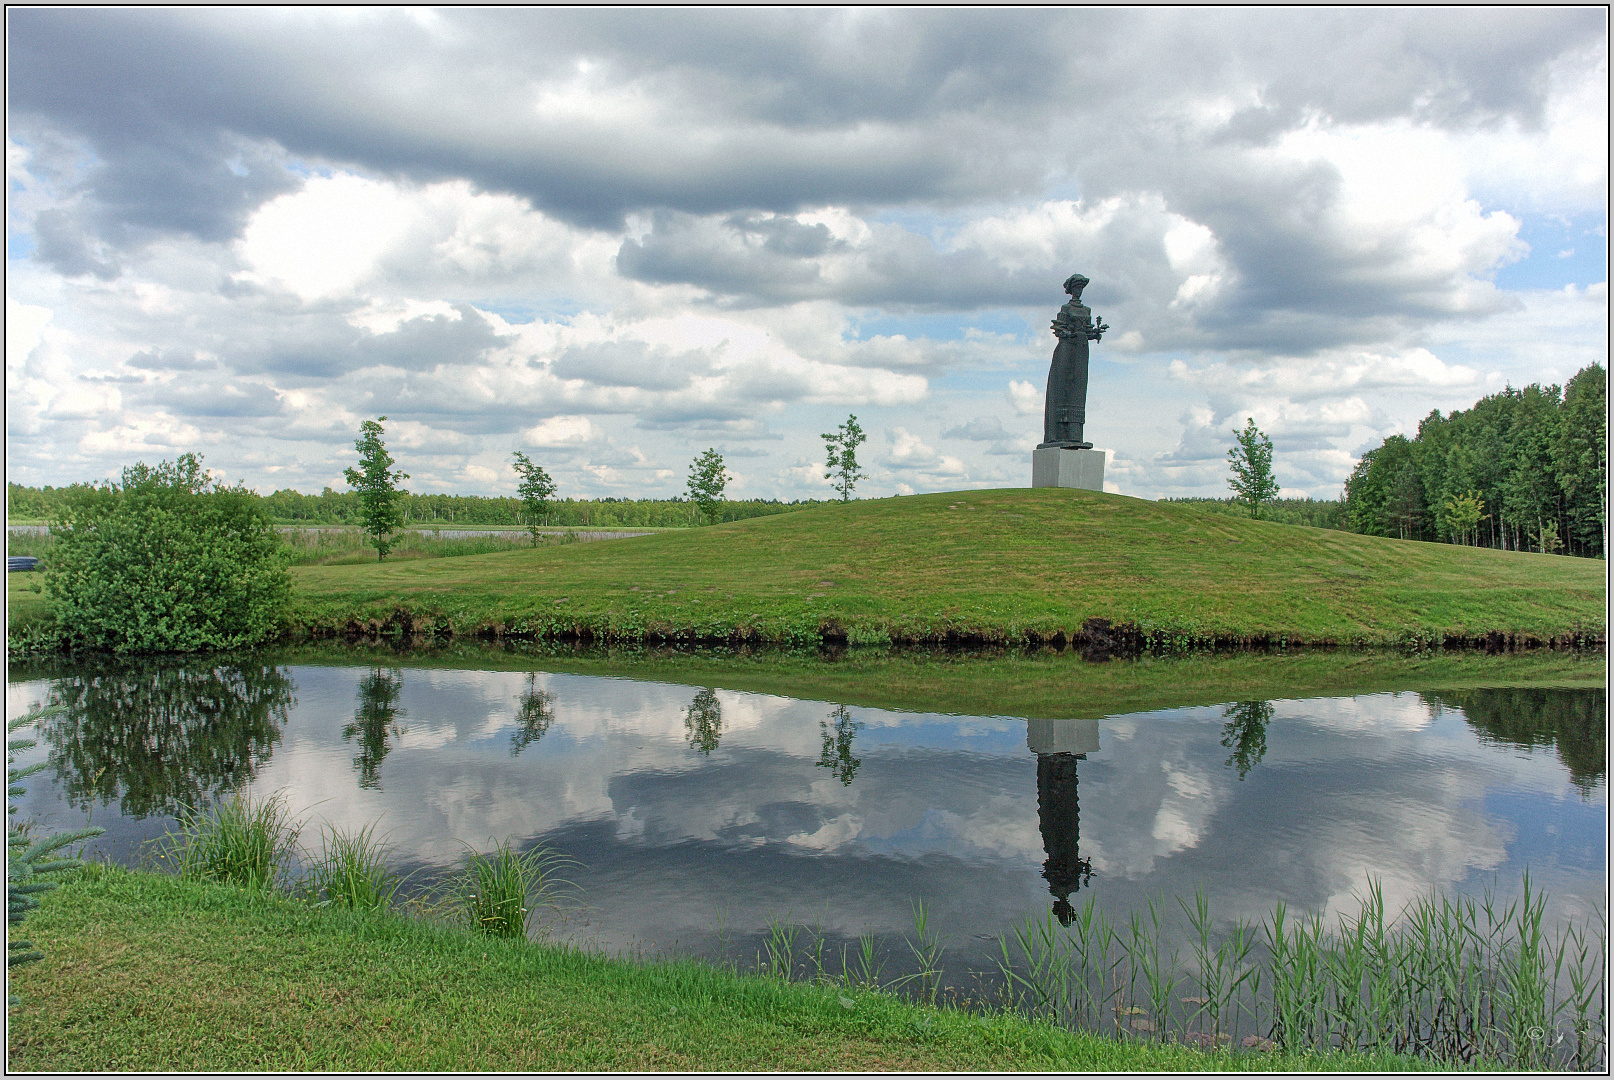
x=614, y=238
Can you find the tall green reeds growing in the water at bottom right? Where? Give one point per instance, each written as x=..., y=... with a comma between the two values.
x=1455, y=982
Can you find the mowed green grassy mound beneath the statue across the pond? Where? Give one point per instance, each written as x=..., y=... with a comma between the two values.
x=990, y=563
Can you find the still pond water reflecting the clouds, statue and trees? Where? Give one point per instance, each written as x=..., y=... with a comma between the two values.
x=701, y=816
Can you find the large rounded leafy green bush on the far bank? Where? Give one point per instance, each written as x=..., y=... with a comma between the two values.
x=165, y=563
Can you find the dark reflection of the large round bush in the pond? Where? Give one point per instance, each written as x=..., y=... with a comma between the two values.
x=162, y=735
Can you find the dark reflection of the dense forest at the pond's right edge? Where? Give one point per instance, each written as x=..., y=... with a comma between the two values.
x=1571, y=721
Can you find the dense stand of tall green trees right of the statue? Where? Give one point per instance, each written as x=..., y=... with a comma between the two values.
x=1521, y=471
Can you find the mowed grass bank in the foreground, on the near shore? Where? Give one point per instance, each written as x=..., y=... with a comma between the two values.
x=148, y=973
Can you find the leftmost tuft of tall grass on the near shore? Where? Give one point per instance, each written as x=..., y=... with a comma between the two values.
x=243, y=842
